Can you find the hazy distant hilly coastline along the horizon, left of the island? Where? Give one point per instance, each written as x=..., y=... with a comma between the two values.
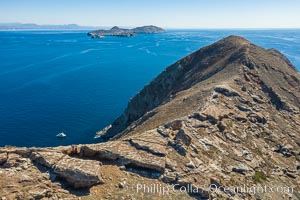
x=32, y=26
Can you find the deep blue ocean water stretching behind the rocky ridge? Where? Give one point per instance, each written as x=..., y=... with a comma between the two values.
x=64, y=81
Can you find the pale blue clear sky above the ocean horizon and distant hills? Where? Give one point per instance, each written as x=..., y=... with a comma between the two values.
x=164, y=13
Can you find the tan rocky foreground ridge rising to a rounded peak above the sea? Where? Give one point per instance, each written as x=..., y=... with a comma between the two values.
x=225, y=116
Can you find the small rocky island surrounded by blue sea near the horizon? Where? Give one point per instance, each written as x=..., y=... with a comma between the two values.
x=122, y=32
